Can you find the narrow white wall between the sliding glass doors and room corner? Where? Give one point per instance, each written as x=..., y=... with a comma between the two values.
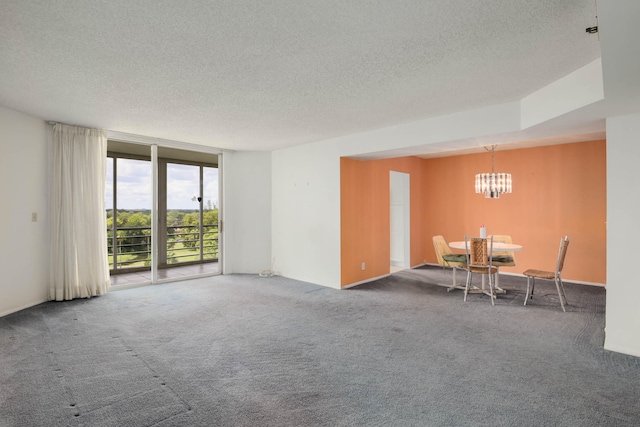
x=247, y=212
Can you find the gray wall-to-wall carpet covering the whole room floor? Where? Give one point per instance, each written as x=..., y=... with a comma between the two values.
x=242, y=350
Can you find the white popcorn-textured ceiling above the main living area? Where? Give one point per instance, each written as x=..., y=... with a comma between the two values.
x=261, y=75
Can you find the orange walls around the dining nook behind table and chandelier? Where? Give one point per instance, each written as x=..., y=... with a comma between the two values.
x=557, y=190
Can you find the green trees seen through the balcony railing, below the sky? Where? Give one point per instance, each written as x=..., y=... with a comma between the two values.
x=183, y=242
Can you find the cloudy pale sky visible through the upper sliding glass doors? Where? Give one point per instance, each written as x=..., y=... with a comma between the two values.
x=135, y=185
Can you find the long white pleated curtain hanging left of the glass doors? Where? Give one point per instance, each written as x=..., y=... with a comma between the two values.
x=79, y=263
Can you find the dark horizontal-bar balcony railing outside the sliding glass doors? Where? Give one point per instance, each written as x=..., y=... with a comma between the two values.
x=184, y=244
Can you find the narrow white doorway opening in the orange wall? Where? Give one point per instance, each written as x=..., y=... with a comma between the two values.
x=399, y=220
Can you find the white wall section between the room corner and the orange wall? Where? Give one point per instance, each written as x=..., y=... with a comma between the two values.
x=306, y=213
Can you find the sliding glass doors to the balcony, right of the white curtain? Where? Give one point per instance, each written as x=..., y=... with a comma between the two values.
x=187, y=212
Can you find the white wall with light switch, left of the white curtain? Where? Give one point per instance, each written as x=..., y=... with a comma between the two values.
x=24, y=245
